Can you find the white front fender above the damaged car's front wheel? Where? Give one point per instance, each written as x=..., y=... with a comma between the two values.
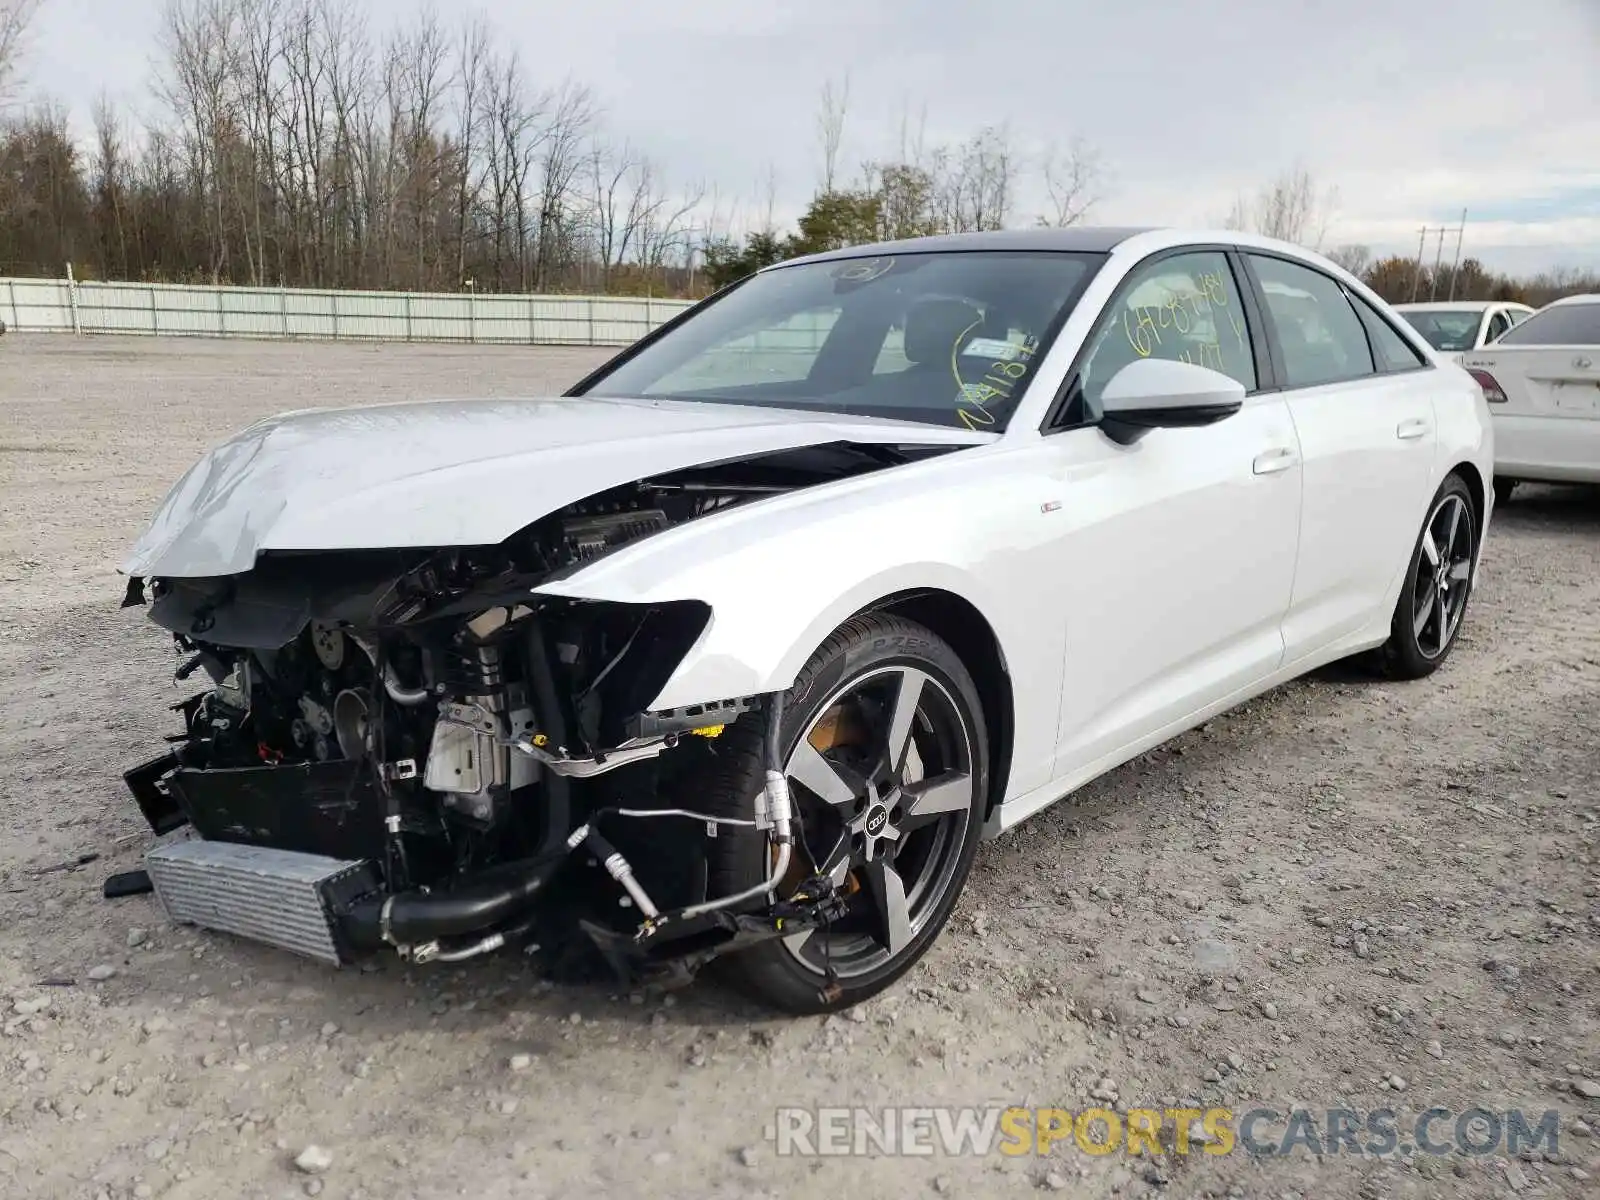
x=780, y=575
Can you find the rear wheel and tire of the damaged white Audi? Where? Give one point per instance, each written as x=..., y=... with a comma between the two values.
x=1433, y=601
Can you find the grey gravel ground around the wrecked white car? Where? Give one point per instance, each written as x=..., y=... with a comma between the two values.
x=1346, y=895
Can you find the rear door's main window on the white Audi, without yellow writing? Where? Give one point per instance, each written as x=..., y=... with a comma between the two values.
x=1319, y=332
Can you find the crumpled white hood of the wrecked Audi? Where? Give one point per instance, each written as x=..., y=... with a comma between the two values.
x=454, y=473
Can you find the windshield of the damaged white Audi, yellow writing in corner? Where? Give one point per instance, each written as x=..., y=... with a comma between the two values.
x=946, y=338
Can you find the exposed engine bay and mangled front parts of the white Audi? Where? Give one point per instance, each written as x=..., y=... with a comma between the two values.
x=409, y=751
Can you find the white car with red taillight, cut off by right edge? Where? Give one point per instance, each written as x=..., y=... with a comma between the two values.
x=1543, y=385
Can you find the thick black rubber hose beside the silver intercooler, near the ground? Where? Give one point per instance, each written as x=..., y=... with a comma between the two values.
x=478, y=906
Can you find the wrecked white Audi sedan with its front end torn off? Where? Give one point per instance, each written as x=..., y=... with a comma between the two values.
x=740, y=649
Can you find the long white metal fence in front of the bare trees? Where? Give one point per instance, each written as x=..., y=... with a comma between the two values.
x=167, y=310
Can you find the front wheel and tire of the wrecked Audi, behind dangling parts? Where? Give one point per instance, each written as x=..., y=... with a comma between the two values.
x=850, y=684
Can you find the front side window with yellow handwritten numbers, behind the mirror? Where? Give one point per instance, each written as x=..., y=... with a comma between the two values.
x=1185, y=308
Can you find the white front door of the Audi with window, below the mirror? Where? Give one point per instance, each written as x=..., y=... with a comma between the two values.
x=1183, y=543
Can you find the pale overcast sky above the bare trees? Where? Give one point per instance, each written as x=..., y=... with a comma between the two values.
x=1414, y=110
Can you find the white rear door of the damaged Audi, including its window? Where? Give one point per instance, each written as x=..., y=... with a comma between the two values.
x=1362, y=404
